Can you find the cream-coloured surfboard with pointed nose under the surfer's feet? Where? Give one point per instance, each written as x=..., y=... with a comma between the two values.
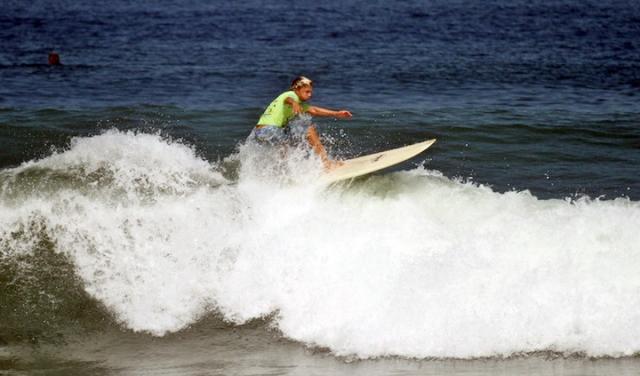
x=352, y=168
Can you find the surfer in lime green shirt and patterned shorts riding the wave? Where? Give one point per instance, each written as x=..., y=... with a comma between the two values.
x=272, y=127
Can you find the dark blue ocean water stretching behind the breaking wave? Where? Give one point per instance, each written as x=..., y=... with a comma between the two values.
x=538, y=95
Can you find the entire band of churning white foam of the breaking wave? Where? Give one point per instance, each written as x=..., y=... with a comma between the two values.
x=410, y=264
